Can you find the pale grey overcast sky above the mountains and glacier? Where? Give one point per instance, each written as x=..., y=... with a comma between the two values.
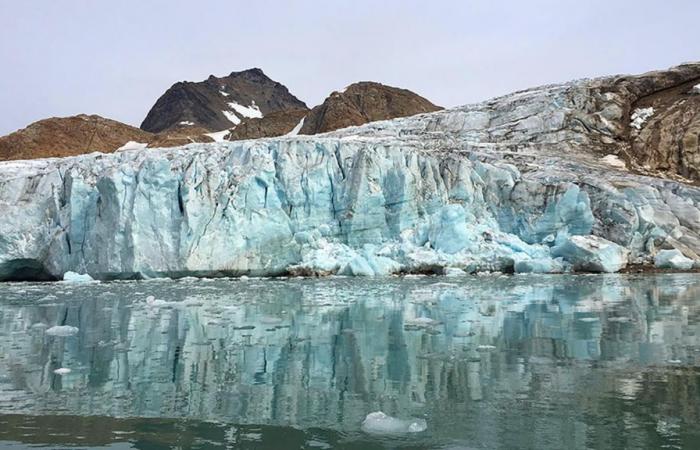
x=115, y=58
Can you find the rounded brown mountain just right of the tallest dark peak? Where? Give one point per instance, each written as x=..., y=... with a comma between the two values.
x=361, y=103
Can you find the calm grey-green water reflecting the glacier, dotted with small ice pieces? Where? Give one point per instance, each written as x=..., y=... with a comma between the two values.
x=487, y=362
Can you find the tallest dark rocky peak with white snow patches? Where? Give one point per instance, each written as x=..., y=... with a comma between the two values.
x=219, y=103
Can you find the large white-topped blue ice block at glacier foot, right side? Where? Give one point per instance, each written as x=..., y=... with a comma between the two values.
x=592, y=253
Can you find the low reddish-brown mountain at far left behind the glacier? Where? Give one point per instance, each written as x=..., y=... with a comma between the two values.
x=68, y=136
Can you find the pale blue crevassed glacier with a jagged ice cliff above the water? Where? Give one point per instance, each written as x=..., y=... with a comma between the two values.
x=517, y=183
